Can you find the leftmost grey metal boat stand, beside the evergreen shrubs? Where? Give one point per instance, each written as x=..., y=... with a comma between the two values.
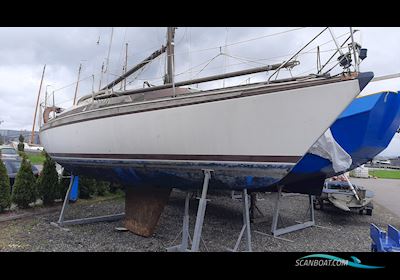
x=61, y=222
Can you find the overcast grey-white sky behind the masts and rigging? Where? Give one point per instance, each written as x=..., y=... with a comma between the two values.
x=24, y=51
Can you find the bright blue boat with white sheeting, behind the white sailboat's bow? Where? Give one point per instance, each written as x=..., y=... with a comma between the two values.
x=360, y=133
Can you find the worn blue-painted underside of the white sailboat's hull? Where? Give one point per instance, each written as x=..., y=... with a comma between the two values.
x=183, y=175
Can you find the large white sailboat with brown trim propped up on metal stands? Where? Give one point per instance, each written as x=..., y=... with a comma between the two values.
x=250, y=136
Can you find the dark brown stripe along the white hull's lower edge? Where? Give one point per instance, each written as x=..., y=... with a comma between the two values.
x=238, y=158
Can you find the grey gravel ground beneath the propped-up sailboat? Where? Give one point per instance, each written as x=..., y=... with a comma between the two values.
x=223, y=222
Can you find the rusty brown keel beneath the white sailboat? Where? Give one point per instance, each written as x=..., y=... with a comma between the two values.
x=143, y=208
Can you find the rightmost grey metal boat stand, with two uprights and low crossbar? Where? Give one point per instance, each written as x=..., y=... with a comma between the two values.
x=276, y=232
